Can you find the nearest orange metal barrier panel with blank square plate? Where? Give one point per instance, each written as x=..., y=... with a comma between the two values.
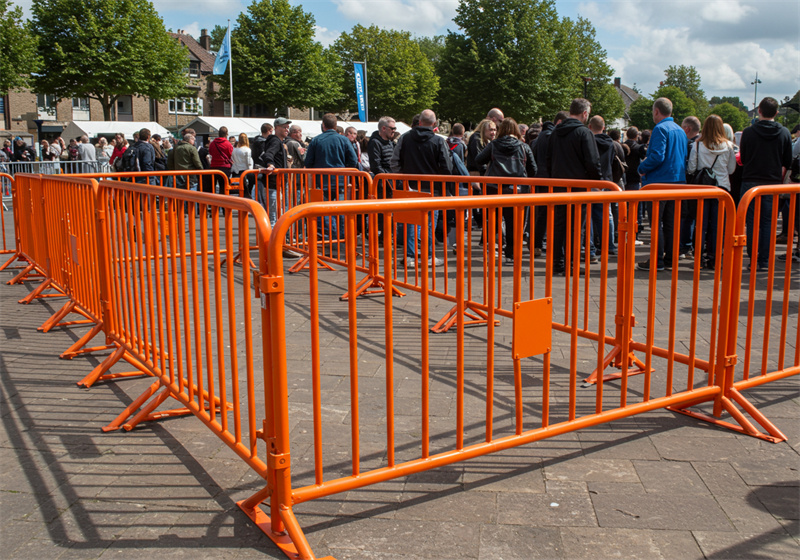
x=381, y=385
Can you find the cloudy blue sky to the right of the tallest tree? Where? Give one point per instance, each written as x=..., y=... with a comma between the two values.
x=727, y=41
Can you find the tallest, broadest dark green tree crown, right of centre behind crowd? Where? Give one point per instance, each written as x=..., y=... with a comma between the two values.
x=518, y=55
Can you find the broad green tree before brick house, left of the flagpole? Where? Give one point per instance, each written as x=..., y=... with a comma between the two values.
x=104, y=49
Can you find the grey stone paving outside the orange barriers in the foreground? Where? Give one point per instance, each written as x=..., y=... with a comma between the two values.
x=653, y=486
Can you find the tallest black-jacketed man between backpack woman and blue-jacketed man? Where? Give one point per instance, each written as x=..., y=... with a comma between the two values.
x=571, y=154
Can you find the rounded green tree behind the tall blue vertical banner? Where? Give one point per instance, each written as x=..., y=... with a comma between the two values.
x=401, y=81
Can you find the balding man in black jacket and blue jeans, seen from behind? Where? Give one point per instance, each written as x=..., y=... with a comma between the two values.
x=424, y=153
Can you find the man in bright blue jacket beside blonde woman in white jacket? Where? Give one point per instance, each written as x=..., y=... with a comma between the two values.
x=665, y=163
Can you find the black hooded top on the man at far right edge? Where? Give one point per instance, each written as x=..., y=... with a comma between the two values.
x=765, y=147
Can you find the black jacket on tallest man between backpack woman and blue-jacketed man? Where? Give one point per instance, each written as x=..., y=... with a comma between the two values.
x=572, y=152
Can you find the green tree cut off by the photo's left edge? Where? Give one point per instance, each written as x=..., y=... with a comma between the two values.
x=18, y=56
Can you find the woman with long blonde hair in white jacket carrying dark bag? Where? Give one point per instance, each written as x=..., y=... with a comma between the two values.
x=716, y=154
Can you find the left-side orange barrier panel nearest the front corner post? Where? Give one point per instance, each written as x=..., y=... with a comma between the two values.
x=174, y=307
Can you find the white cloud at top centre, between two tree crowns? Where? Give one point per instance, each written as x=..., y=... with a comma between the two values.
x=422, y=17
